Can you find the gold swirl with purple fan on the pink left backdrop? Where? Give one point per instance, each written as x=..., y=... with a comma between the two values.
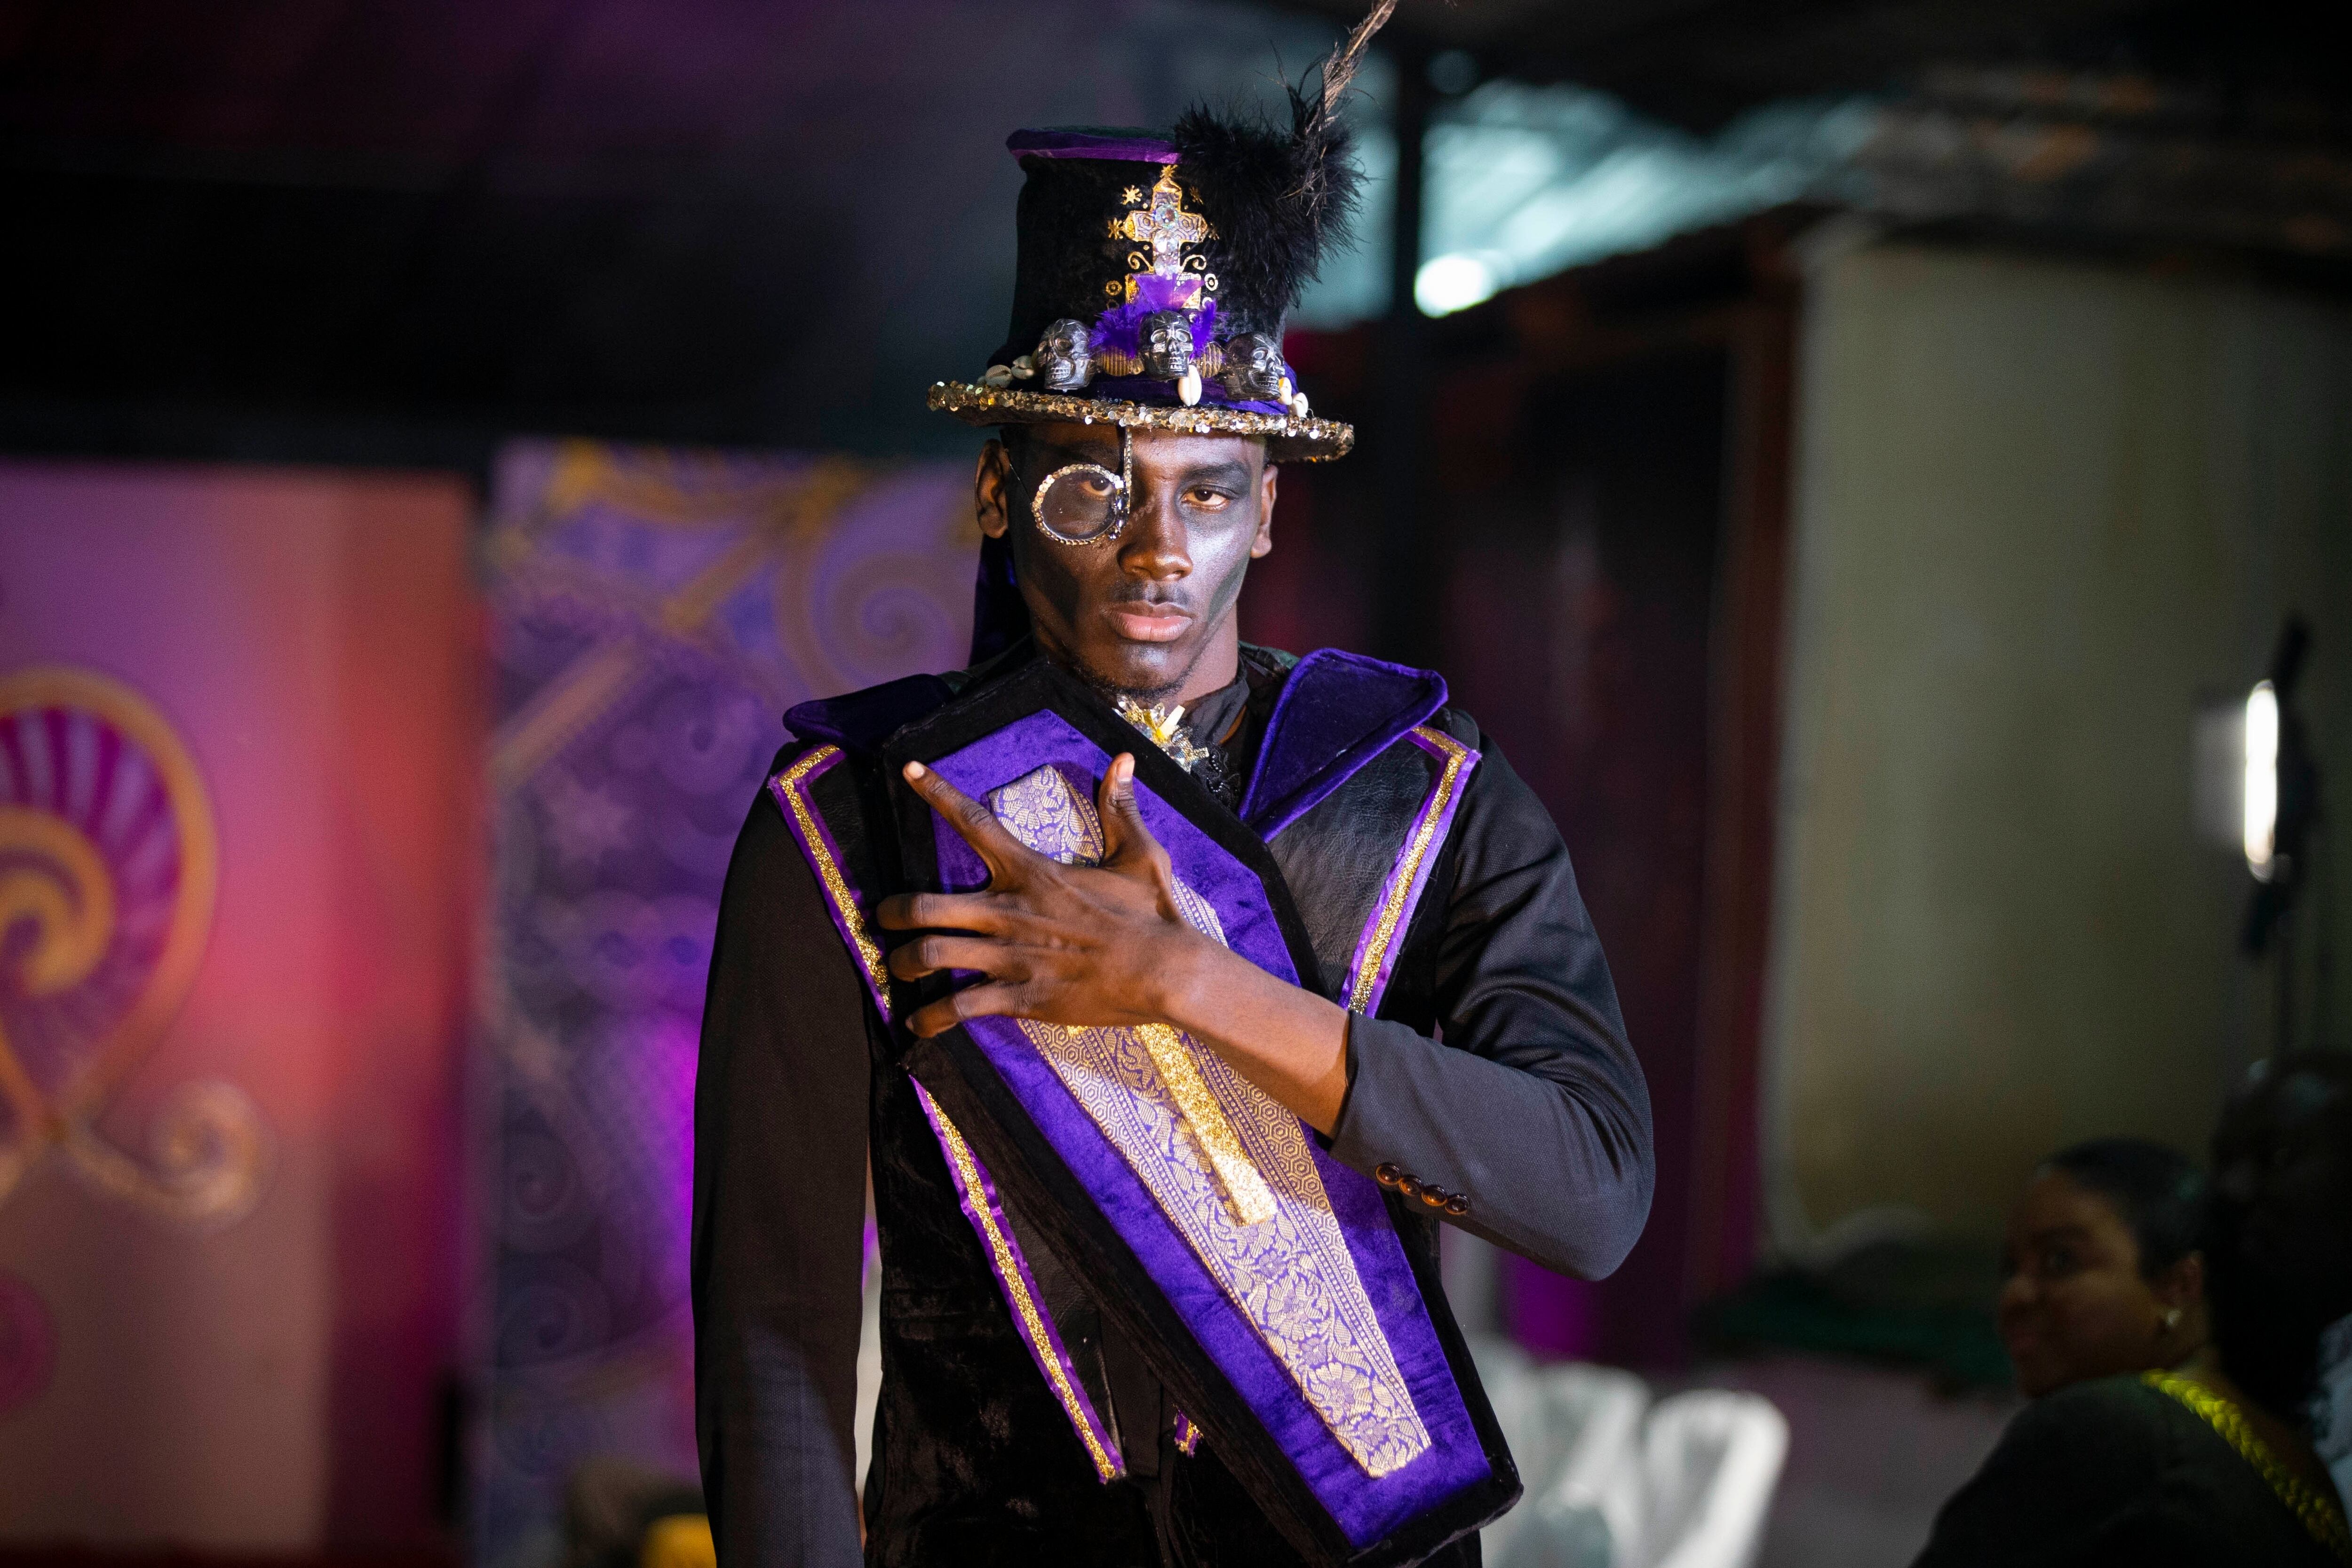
x=107, y=885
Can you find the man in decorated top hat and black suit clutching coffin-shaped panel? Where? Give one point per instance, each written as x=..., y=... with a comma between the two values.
x=1022, y=1414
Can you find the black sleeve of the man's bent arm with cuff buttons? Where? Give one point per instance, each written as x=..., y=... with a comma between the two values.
x=1535, y=1108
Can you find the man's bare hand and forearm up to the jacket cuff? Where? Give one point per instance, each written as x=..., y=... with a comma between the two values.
x=1095, y=946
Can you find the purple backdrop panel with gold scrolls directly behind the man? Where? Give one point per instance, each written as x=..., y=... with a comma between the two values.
x=653, y=619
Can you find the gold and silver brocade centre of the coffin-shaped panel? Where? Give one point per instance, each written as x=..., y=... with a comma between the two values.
x=1290, y=1275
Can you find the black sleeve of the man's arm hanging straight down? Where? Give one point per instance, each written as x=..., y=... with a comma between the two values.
x=780, y=1209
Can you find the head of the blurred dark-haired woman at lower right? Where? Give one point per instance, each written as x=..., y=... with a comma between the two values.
x=2102, y=1271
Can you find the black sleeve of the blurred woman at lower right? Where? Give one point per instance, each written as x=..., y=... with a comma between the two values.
x=2073, y=1482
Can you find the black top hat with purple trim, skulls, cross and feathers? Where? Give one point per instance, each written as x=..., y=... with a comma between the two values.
x=1156, y=272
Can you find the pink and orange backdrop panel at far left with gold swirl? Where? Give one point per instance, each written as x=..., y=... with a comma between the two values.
x=239, y=838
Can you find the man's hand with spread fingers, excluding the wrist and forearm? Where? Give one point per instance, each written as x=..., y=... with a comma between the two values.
x=1062, y=944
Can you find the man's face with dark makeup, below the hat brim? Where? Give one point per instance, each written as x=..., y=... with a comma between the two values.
x=1137, y=612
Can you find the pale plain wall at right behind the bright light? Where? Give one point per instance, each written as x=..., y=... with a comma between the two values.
x=2043, y=511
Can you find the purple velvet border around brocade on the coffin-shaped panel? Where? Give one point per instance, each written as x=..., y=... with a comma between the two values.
x=1363, y=1508
